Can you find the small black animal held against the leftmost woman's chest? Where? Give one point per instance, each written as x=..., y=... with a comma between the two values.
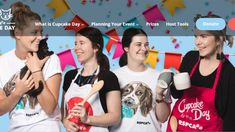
x=42, y=53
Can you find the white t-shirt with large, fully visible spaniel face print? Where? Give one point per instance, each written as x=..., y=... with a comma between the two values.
x=138, y=100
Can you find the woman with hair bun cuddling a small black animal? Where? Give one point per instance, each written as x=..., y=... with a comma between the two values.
x=29, y=113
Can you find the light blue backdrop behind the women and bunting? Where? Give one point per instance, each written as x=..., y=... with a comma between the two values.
x=108, y=11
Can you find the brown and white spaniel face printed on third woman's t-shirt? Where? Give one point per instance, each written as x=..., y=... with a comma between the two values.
x=137, y=95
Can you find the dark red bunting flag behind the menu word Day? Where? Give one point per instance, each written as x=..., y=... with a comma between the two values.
x=77, y=24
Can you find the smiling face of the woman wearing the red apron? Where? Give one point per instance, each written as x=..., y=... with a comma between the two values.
x=206, y=43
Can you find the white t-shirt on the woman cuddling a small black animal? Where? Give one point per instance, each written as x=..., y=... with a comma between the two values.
x=27, y=111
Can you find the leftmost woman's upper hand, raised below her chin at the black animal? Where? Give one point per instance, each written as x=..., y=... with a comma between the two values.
x=34, y=63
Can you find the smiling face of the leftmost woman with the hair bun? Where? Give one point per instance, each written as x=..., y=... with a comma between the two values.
x=29, y=37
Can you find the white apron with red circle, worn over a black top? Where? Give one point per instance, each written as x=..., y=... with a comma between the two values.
x=75, y=95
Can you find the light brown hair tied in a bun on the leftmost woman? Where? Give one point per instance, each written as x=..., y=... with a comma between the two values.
x=22, y=15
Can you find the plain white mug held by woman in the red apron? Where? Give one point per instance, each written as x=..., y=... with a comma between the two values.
x=182, y=81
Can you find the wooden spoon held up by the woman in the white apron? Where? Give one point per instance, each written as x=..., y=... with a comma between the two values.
x=95, y=88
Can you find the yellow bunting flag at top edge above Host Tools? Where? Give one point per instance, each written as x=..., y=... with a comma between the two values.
x=171, y=5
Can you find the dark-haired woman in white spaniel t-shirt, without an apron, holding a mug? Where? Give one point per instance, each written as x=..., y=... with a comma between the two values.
x=143, y=108
